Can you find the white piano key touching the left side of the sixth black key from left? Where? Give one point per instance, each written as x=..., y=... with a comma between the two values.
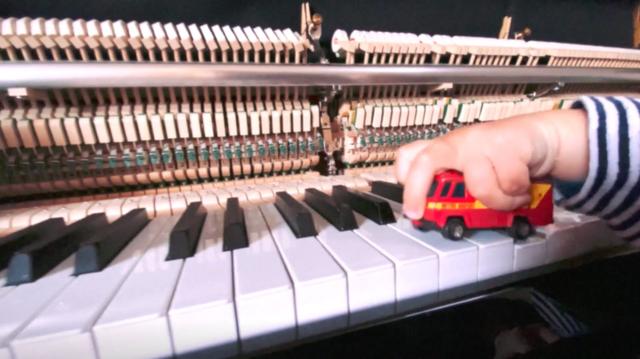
x=320, y=285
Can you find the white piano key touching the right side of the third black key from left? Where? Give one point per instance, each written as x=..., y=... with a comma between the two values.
x=63, y=327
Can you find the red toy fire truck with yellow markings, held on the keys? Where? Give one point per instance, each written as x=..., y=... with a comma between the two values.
x=451, y=209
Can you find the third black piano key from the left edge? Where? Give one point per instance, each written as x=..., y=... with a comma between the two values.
x=95, y=253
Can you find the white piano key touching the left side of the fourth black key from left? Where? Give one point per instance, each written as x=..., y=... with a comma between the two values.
x=134, y=324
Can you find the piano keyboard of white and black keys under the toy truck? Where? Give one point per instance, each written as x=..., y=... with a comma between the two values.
x=135, y=293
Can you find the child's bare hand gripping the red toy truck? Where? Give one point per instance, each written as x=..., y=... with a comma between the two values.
x=498, y=158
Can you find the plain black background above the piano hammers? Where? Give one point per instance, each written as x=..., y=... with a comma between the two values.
x=587, y=21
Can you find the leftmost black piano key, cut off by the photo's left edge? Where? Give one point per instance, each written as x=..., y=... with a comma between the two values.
x=13, y=242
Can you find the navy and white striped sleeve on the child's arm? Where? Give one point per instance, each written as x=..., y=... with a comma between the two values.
x=611, y=189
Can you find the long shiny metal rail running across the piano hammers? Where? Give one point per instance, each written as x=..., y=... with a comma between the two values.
x=86, y=75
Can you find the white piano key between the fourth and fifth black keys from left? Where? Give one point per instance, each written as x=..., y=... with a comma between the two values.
x=202, y=312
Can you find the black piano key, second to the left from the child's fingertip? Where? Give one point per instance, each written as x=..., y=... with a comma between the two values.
x=374, y=208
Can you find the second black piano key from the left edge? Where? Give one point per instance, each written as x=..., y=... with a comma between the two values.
x=33, y=261
